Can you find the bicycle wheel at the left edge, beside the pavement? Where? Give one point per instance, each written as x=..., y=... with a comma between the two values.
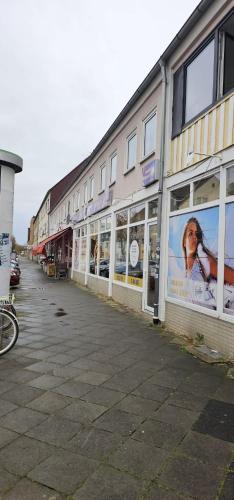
x=9, y=331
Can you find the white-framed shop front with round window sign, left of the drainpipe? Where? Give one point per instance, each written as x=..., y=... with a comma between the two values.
x=115, y=254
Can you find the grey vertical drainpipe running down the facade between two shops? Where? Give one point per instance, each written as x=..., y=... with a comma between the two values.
x=160, y=192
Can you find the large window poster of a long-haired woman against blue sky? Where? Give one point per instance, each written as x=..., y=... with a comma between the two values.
x=193, y=257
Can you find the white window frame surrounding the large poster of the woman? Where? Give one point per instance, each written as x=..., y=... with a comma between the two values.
x=221, y=204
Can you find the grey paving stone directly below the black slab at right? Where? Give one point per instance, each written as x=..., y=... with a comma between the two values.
x=206, y=449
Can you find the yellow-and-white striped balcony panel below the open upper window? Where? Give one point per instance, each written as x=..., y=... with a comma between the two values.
x=209, y=134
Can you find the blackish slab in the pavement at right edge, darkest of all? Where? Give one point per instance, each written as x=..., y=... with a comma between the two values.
x=217, y=420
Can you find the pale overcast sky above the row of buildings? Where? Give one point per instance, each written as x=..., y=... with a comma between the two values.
x=68, y=67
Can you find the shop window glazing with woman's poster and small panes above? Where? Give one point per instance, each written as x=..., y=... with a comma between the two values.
x=193, y=246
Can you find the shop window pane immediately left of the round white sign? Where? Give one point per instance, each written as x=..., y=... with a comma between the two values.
x=120, y=255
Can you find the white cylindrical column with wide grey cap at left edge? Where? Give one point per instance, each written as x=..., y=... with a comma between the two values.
x=10, y=164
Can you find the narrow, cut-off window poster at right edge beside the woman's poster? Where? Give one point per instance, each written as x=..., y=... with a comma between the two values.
x=228, y=294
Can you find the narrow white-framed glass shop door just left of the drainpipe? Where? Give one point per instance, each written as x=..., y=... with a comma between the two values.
x=150, y=266
